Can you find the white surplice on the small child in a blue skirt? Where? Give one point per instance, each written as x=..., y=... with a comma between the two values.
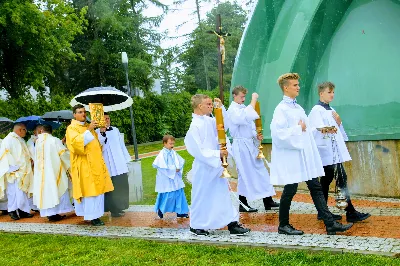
x=167, y=178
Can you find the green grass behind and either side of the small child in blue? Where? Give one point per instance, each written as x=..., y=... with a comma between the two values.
x=149, y=179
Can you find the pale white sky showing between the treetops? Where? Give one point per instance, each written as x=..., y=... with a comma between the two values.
x=181, y=19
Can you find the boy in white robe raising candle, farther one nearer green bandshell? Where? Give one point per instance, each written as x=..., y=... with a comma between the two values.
x=253, y=177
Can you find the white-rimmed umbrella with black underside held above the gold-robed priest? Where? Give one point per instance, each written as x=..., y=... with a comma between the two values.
x=111, y=98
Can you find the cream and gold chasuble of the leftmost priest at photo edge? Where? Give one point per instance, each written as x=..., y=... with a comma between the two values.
x=15, y=164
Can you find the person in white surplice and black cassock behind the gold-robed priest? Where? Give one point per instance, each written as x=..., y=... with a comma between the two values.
x=116, y=157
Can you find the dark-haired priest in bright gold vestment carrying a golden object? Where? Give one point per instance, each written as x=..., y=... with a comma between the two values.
x=90, y=177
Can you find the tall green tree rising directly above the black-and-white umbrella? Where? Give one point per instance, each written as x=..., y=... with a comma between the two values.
x=114, y=26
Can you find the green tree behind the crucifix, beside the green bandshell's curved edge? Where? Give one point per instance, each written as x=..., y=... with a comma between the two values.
x=233, y=21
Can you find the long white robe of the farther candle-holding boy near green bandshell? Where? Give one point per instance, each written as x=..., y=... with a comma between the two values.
x=253, y=179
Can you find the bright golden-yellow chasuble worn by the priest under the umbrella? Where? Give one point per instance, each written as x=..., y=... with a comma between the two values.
x=89, y=173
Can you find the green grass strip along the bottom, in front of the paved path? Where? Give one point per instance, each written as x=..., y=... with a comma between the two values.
x=37, y=249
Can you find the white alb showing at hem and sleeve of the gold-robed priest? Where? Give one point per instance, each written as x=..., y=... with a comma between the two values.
x=90, y=207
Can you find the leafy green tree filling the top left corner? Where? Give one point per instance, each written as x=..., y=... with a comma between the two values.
x=34, y=35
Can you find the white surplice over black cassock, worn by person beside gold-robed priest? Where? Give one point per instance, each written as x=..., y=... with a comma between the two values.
x=115, y=154
